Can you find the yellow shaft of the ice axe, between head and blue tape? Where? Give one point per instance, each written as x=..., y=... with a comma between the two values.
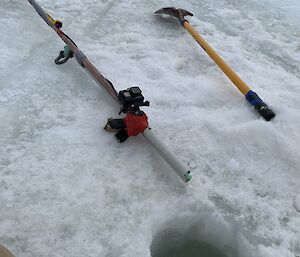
x=239, y=83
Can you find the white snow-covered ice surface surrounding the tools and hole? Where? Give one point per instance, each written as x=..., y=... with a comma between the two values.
x=68, y=189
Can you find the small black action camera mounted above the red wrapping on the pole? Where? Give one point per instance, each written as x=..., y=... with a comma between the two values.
x=131, y=99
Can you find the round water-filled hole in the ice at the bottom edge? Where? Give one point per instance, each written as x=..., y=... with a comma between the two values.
x=204, y=237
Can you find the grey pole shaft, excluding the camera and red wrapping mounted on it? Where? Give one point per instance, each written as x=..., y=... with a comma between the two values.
x=84, y=62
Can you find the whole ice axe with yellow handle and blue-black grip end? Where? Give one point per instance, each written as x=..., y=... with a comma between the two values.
x=250, y=95
